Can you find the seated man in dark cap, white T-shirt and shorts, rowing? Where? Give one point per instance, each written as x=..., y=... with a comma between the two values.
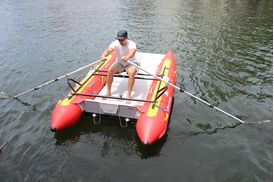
x=125, y=50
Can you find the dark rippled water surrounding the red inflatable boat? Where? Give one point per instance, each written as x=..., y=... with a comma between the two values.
x=224, y=56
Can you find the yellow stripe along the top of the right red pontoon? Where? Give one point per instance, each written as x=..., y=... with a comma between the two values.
x=152, y=111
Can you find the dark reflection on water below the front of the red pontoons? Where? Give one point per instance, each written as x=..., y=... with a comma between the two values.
x=109, y=136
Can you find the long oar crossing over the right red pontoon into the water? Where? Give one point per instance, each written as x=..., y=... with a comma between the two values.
x=184, y=91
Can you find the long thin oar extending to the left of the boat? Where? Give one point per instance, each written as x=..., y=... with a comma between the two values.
x=54, y=80
